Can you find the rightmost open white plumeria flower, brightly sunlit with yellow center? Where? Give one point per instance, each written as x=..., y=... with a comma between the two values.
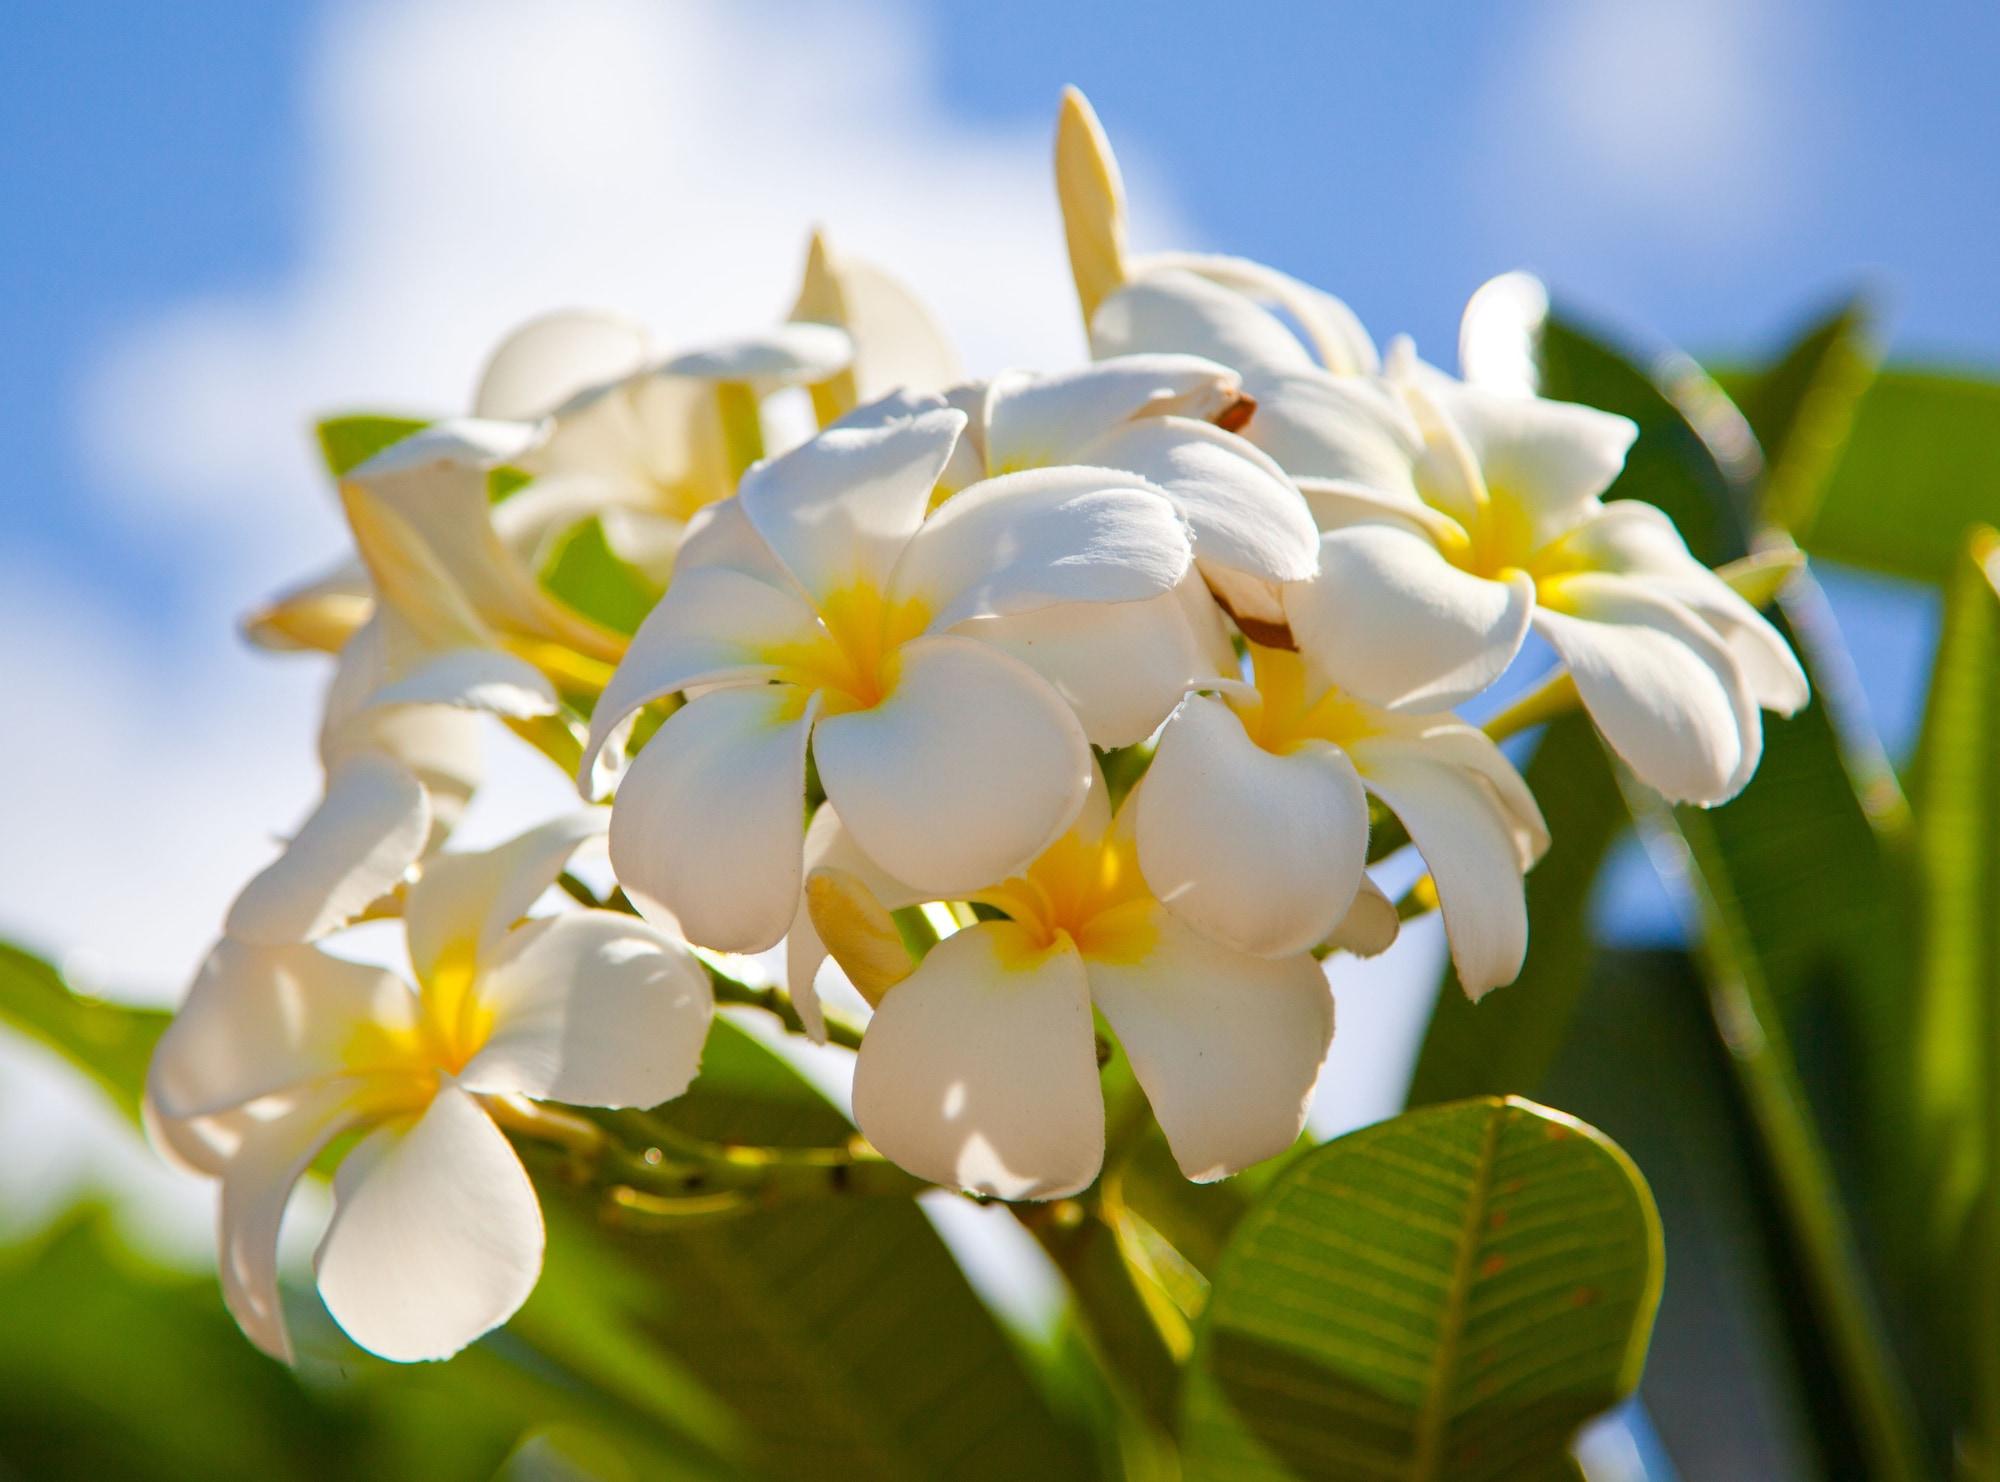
x=1465, y=517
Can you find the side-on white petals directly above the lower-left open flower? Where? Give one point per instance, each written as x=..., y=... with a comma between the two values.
x=397, y=781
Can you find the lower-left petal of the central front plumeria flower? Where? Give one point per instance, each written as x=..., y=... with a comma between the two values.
x=709, y=825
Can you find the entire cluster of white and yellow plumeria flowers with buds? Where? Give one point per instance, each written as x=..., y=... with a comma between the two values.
x=1067, y=715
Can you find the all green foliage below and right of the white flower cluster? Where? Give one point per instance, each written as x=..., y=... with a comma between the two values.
x=1811, y=1089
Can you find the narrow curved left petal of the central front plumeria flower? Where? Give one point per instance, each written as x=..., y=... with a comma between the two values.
x=715, y=625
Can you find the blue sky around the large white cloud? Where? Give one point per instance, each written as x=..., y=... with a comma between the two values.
x=161, y=153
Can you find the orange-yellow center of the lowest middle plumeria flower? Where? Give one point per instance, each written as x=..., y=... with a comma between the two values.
x=1085, y=891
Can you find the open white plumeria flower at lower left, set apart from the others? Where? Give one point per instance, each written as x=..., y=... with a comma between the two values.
x=437, y=1235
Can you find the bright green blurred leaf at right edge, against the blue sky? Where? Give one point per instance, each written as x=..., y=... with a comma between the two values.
x=1919, y=471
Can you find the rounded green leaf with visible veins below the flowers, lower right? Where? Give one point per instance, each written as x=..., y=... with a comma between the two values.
x=1449, y=1295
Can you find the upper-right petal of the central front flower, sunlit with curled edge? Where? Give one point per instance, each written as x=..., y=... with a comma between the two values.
x=1051, y=535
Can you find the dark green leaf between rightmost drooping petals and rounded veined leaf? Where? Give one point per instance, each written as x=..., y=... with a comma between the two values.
x=1509, y=1039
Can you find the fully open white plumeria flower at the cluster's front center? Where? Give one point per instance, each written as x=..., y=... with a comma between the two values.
x=823, y=605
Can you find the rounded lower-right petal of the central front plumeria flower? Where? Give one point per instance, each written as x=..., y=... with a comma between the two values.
x=965, y=773
